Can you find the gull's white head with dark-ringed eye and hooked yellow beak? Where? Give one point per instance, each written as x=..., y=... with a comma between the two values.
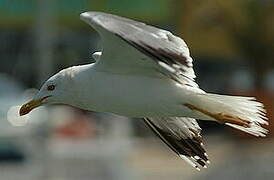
x=54, y=91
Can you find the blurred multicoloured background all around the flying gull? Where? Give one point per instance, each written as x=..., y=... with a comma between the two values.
x=232, y=43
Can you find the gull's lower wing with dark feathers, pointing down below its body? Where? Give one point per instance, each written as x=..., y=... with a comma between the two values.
x=182, y=135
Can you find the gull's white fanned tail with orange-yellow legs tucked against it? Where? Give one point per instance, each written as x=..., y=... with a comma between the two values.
x=243, y=113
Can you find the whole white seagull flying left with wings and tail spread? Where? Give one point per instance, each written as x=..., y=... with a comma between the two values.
x=146, y=72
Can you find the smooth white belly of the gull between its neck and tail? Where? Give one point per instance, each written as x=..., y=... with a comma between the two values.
x=135, y=96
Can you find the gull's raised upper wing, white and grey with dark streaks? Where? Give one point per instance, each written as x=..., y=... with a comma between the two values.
x=134, y=47
